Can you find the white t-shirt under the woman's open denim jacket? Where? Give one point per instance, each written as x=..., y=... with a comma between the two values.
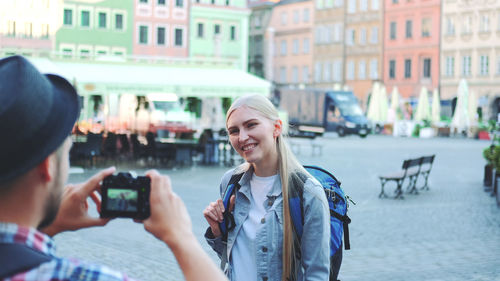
x=243, y=252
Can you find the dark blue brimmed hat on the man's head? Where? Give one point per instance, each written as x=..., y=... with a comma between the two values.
x=37, y=113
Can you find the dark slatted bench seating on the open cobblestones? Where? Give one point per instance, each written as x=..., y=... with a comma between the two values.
x=411, y=169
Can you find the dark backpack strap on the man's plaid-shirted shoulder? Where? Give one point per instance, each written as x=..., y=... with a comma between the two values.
x=16, y=258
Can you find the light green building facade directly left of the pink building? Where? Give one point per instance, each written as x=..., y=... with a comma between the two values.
x=92, y=28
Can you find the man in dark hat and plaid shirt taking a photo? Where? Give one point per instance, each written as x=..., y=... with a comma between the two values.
x=37, y=114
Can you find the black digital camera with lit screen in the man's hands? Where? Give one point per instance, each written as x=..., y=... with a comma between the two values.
x=125, y=196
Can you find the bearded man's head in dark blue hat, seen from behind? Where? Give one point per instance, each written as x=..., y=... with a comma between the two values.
x=37, y=114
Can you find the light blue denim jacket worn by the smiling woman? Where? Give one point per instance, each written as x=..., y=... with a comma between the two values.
x=315, y=247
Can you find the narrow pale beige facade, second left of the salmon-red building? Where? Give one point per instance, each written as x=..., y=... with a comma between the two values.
x=328, y=45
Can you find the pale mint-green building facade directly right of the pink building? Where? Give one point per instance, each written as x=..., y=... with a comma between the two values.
x=219, y=31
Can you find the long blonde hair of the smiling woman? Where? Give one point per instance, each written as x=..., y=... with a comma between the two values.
x=288, y=168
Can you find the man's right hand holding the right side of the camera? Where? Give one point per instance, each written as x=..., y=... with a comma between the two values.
x=169, y=220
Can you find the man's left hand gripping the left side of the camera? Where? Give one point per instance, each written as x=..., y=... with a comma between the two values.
x=73, y=211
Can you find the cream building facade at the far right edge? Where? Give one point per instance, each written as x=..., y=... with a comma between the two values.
x=470, y=43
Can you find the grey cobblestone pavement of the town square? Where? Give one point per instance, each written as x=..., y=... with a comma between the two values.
x=451, y=232
